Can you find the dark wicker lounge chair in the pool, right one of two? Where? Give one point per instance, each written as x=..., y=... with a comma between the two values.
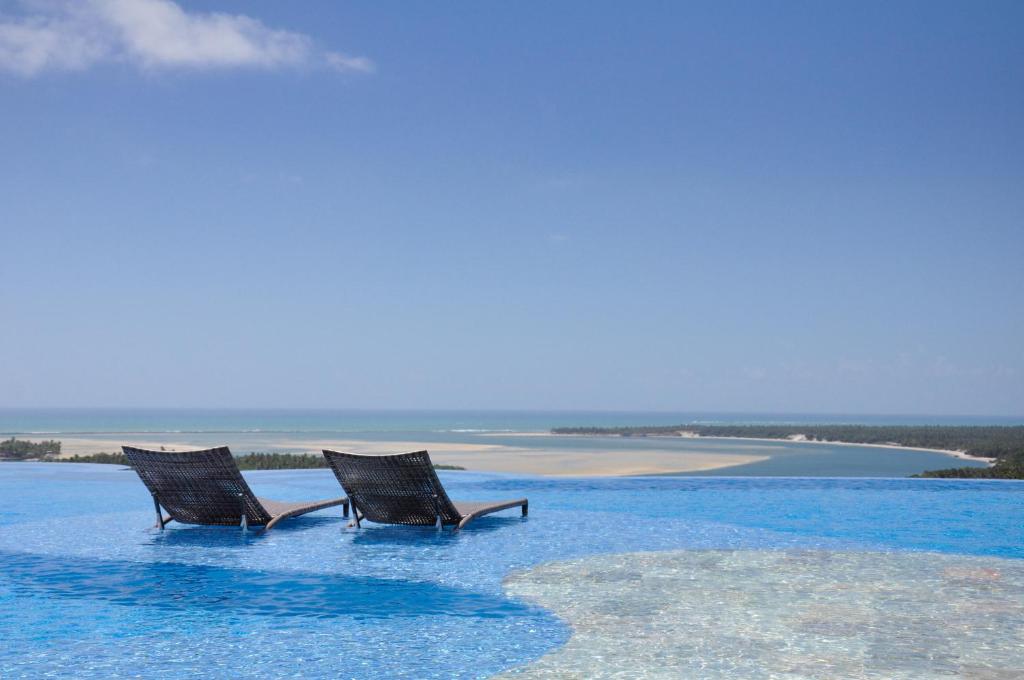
x=405, y=490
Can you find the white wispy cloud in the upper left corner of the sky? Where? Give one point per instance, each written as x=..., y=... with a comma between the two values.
x=73, y=35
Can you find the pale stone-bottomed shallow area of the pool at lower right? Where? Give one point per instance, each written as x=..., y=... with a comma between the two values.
x=790, y=615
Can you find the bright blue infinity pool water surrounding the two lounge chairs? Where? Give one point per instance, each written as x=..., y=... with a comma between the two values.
x=88, y=588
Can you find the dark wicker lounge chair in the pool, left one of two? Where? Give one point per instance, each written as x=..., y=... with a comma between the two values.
x=206, y=488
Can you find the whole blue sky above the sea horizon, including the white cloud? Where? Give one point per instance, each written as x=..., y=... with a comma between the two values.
x=714, y=206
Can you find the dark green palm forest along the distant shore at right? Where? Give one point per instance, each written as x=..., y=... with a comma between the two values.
x=1003, y=444
